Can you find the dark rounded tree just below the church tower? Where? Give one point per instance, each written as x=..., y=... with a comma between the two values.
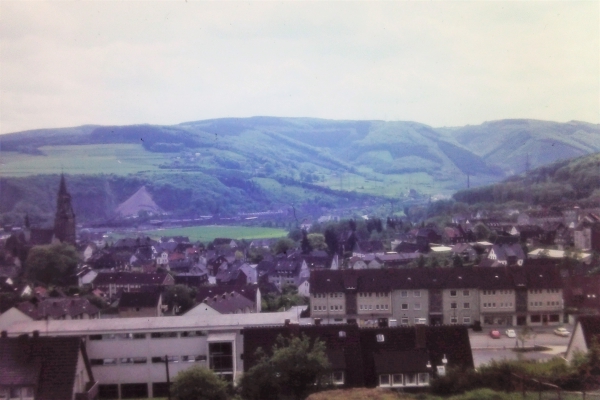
x=51, y=264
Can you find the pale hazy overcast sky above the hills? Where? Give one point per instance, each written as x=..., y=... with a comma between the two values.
x=440, y=63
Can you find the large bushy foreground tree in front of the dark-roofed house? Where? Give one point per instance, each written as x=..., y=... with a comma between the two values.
x=295, y=368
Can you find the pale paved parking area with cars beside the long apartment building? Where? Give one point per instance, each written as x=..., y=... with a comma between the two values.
x=486, y=349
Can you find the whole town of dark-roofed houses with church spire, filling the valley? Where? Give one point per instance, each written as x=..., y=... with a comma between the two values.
x=397, y=303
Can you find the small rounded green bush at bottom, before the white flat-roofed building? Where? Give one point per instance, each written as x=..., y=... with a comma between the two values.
x=198, y=383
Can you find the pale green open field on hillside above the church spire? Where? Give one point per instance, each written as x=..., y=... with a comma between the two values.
x=121, y=159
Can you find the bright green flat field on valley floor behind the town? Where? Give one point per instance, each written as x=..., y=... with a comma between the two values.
x=208, y=233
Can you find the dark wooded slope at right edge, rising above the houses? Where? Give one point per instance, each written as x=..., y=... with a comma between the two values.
x=568, y=180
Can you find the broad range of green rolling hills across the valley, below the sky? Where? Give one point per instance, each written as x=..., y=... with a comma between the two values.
x=252, y=164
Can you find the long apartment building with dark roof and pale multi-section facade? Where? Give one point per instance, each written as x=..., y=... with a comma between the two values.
x=502, y=296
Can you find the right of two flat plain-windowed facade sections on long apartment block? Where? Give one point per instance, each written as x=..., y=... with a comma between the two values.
x=467, y=306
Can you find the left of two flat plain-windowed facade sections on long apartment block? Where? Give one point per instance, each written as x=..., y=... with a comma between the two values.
x=410, y=306
